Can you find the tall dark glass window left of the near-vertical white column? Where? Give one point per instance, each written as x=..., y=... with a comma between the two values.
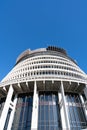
x=22, y=117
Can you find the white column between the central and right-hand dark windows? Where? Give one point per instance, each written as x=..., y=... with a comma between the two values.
x=64, y=114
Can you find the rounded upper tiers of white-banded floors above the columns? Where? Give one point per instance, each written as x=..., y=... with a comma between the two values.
x=43, y=64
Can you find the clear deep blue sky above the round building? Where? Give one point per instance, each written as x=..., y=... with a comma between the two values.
x=38, y=23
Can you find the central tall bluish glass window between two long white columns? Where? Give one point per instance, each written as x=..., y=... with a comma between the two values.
x=49, y=115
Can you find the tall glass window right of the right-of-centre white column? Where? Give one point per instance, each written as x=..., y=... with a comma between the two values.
x=75, y=112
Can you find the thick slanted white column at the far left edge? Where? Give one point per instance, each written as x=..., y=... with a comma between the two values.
x=6, y=108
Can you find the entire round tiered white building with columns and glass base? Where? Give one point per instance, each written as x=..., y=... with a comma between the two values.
x=45, y=90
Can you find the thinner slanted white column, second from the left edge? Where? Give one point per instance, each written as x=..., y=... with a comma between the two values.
x=12, y=113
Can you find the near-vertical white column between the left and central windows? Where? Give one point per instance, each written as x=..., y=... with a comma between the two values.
x=34, y=122
